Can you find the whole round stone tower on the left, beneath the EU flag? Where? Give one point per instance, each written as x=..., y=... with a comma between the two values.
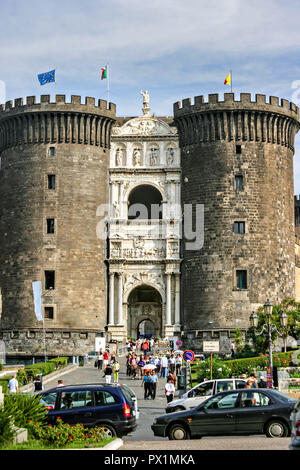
x=53, y=177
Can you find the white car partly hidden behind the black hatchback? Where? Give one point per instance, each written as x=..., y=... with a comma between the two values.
x=192, y=398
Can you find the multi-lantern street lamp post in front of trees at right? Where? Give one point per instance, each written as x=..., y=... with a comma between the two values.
x=269, y=328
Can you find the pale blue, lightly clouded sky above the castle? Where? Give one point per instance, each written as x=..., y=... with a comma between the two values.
x=175, y=49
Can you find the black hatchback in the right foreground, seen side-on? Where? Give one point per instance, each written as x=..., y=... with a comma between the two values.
x=237, y=412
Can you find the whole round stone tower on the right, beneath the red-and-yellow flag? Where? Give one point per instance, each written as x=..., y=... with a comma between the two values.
x=237, y=161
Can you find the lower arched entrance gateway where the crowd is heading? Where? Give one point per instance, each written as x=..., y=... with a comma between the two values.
x=144, y=312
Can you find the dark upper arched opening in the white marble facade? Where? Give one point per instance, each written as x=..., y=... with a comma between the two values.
x=145, y=202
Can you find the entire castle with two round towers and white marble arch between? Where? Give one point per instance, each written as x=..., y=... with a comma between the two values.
x=77, y=188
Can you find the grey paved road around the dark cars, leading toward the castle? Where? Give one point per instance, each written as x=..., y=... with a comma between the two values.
x=143, y=438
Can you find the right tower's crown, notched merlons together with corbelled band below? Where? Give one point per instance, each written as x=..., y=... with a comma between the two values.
x=272, y=121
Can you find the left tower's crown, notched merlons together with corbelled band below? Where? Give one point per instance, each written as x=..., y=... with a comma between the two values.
x=56, y=122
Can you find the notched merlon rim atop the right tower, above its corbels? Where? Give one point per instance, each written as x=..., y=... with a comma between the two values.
x=261, y=103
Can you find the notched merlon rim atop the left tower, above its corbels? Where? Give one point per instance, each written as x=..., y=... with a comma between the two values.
x=60, y=104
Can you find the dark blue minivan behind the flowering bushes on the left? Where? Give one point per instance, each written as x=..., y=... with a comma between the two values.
x=108, y=406
